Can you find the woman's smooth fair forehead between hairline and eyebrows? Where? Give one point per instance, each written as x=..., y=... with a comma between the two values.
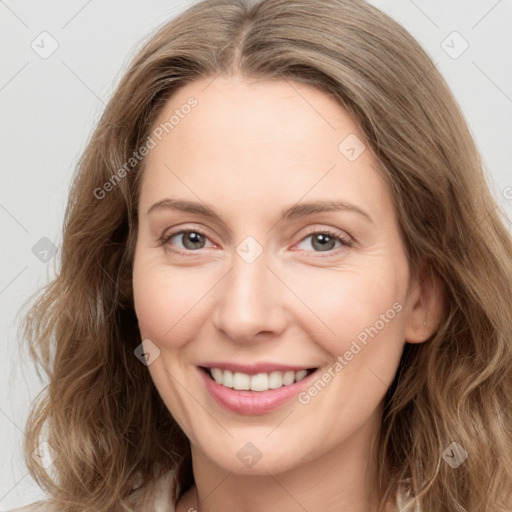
x=244, y=137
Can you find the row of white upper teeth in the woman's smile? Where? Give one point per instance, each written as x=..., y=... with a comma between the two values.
x=258, y=382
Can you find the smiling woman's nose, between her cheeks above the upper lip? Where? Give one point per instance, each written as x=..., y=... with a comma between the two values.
x=251, y=303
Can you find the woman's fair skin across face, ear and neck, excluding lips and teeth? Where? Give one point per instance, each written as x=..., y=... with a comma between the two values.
x=249, y=150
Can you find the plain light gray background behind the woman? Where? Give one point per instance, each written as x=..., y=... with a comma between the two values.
x=49, y=107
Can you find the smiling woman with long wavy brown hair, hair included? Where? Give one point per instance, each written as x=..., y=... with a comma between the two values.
x=284, y=282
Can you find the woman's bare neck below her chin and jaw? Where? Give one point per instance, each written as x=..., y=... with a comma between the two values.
x=343, y=478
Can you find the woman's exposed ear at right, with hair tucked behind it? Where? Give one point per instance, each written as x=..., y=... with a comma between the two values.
x=426, y=301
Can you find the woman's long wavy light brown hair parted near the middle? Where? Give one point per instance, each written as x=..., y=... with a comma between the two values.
x=101, y=411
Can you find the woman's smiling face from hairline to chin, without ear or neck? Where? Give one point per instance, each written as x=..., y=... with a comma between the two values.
x=268, y=247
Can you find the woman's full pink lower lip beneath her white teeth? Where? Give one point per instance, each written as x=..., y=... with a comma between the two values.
x=252, y=402
